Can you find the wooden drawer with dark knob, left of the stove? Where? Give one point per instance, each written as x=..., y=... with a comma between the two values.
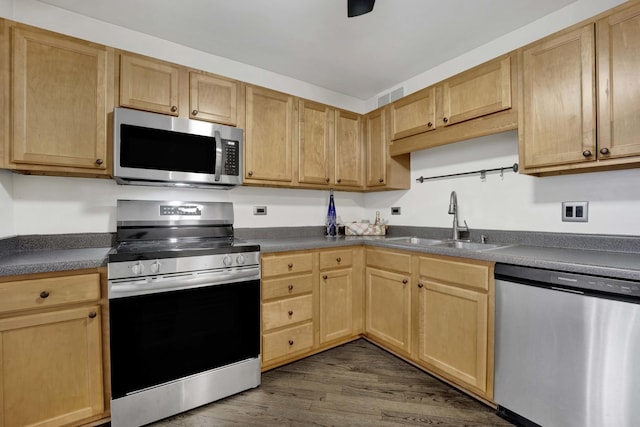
x=49, y=292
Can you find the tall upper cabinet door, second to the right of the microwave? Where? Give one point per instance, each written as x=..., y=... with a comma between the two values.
x=315, y=142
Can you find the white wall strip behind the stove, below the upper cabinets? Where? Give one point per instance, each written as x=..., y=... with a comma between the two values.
x=53, y=205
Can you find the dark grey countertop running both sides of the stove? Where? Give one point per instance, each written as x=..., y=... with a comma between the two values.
x=624, y=265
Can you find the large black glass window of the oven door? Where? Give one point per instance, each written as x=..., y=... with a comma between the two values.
x=163, y=337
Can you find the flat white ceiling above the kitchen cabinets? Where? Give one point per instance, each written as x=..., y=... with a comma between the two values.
x=314, y=41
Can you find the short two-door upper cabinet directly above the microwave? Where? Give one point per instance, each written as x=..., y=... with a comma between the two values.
x=162, y=87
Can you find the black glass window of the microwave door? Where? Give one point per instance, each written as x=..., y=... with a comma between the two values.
x=146, y=148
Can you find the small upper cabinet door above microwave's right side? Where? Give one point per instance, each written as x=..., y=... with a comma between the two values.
x=213, y=99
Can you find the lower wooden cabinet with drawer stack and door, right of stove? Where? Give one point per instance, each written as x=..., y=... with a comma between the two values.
x=311, y=301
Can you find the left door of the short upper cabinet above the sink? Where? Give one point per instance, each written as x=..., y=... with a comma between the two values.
x=414, y=114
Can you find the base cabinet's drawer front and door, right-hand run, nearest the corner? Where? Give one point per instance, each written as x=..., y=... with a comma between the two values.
x=388, y=299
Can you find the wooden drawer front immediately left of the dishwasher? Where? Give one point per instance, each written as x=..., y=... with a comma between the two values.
x=460, y=272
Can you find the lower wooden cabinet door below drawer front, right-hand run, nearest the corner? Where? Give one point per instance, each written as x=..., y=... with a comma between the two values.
x=388, y=308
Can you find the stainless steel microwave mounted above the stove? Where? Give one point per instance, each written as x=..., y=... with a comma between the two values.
x=159, y=150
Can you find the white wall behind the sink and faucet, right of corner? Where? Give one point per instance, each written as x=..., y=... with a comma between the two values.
x=514, y=202
